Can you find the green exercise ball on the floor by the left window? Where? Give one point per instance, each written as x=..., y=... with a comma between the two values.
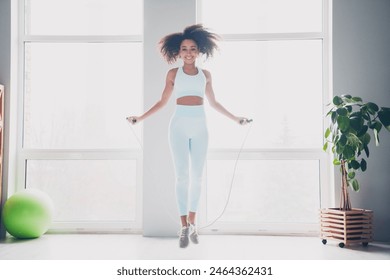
x=27, y=213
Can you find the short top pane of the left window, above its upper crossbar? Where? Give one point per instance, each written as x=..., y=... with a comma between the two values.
x=84, y=17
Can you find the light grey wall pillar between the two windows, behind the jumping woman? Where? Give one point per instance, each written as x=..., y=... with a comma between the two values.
x=160, y=215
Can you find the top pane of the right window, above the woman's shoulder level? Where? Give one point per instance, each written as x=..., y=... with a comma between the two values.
x=262, y=16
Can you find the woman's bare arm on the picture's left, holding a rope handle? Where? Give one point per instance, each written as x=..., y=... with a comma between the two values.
x=167, y=92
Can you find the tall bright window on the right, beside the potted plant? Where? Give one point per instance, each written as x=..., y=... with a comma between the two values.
x=272, y=67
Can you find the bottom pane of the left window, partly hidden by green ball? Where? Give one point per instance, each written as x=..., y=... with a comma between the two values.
x=87, y=190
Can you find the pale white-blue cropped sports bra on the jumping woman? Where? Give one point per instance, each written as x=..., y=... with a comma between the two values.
x=189, y=85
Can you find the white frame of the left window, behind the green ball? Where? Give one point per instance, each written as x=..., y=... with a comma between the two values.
x=25, y=154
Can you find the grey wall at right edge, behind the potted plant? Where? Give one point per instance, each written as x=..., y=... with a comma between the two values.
x=361, y=67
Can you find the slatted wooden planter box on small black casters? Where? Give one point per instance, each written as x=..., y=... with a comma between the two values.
x=346, y=226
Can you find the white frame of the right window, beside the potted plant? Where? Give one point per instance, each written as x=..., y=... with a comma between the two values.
x=326, y=170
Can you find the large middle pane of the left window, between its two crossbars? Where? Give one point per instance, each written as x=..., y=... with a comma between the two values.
x=78, y=95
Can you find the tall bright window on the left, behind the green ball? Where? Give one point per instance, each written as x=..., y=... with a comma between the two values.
x=82, y=76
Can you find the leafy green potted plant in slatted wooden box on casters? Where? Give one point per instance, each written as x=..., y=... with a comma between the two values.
x=353, y=123
